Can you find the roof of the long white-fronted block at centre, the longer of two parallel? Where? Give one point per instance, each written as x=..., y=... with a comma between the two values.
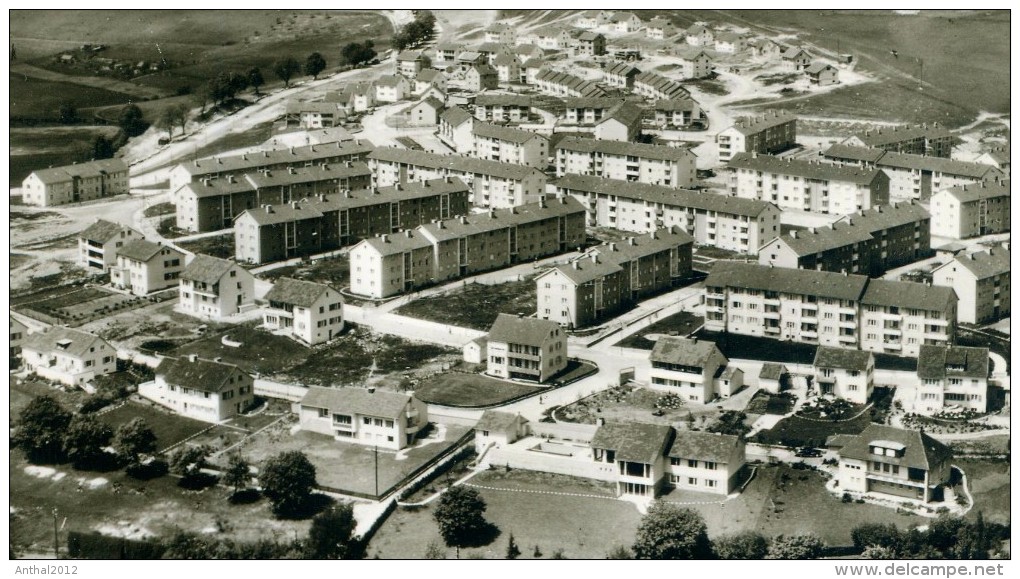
x=665, y=195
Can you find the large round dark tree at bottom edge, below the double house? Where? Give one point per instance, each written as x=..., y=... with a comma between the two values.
x=669, y=532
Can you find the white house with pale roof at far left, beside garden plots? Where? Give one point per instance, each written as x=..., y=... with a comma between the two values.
x=68, y=356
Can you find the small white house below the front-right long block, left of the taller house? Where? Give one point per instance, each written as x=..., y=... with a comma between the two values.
x=849, y=375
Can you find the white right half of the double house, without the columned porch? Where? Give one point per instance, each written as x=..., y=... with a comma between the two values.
x=706, y=462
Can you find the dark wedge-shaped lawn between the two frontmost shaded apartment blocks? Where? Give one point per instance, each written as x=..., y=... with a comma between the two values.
x=476, y=305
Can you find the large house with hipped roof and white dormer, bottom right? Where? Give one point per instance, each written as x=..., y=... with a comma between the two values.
x=894, y=462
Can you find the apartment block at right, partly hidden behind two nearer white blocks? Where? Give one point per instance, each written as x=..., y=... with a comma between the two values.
x=914, y=177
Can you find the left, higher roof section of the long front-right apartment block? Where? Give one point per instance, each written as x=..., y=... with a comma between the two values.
x=797, y=282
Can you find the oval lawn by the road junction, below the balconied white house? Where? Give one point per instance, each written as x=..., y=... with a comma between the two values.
x=472, y=391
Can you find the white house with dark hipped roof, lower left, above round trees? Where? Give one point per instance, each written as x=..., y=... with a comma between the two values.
x=203, y=390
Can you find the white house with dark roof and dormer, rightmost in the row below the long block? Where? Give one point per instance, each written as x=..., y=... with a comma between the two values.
x=952, y=378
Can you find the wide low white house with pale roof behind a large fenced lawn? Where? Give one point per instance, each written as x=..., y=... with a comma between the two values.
x=364, y=416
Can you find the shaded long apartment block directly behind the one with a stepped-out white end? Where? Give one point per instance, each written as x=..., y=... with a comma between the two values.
x=329, y=222
